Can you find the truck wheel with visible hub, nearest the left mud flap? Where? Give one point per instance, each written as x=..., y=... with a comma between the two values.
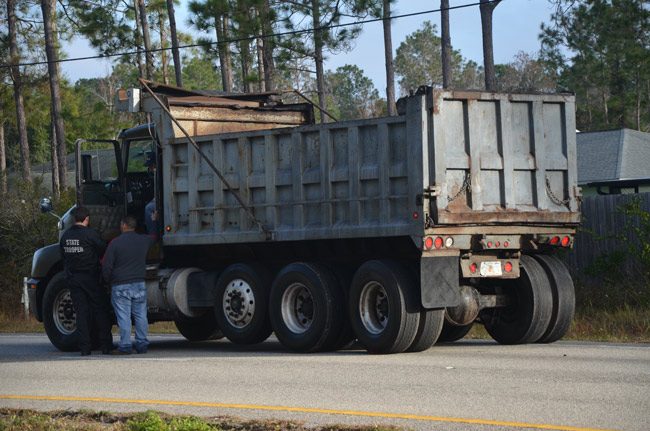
x=383, y=309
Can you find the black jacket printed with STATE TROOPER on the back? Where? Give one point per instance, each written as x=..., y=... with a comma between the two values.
x=81, y=247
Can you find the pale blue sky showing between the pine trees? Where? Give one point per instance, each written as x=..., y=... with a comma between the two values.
x=516, y=27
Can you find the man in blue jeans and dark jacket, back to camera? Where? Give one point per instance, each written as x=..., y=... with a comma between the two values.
x=124, y=268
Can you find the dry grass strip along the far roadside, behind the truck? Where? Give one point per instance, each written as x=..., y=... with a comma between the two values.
x=623, y=325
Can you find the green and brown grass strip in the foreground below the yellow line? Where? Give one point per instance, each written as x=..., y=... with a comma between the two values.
x=31, y=420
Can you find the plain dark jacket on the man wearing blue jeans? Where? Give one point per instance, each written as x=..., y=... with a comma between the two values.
x=125, y=259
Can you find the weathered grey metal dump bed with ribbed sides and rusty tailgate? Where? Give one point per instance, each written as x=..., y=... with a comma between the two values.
x=451, y=158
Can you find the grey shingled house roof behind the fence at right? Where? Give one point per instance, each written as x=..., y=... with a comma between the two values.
x=613, y=155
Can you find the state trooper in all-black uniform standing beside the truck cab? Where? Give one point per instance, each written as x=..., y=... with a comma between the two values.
x=81, y=247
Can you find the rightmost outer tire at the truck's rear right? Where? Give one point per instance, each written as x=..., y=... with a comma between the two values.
x=564, y=298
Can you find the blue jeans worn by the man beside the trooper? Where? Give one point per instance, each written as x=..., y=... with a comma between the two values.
x=131, y=300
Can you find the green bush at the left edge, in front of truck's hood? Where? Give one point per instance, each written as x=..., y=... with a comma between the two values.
x=23, y=230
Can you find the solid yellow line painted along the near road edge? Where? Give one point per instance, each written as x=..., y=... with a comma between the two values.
x=302, y=410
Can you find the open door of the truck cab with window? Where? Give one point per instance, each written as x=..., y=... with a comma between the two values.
x=99, y=181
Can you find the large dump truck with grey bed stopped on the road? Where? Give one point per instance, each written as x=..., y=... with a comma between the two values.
x=398, y=232
